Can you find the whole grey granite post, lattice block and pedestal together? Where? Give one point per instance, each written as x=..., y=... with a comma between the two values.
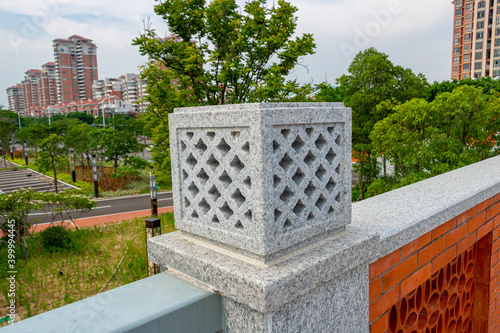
x=262, y=199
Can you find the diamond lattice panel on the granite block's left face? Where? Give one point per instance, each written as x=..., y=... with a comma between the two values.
x=215, y=177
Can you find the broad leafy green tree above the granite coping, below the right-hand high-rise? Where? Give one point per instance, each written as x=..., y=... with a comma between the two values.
x=425, y=139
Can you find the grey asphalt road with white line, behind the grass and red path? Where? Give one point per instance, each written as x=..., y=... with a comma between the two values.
x=117, y=205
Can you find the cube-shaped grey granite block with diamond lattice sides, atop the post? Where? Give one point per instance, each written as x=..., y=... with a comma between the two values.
x=263, y=179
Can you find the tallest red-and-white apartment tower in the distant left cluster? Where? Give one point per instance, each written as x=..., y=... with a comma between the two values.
x=75, y=68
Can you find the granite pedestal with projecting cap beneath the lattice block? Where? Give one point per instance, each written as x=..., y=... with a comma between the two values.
x=320, y=288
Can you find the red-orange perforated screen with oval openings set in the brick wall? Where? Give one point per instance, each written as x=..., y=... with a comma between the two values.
x=443, y=303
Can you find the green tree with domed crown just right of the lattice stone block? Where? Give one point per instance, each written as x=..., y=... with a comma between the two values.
x=373, y=79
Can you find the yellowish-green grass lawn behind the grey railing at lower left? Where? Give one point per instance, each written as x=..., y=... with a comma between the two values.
x=47, y=281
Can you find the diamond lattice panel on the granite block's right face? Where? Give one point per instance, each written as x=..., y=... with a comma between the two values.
x=307, y=174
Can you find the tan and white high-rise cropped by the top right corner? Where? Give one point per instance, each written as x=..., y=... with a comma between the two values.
x=476, y=39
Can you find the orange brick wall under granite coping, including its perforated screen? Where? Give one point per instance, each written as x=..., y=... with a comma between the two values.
x=447, y=280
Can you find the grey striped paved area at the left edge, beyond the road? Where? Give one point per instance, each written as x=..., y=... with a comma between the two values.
x=11, y=180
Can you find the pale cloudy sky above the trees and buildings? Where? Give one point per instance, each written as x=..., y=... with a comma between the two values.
x=414, y=34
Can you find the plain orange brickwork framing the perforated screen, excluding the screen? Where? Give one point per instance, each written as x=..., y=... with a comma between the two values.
x=398, y=274
